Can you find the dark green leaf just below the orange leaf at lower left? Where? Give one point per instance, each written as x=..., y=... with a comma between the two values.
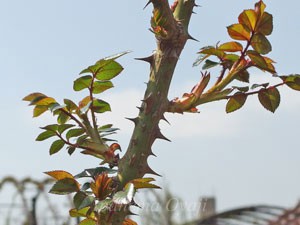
x=65, y=186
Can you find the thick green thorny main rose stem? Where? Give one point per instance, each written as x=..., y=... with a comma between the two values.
x=155, y=103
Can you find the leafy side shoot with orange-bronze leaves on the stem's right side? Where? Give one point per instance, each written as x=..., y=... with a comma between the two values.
x=247, y=49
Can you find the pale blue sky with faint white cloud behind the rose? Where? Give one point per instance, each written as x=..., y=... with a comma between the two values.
x=251, y=156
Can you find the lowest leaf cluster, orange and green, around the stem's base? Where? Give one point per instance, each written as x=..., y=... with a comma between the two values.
x=97, y=198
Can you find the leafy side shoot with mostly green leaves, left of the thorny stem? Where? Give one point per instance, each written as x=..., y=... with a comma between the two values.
x=76, y=126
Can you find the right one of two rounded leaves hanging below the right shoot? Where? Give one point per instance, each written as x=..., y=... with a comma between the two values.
x=269, y=98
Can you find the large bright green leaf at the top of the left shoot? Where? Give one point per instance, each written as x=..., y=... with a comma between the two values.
x=109, y=70
